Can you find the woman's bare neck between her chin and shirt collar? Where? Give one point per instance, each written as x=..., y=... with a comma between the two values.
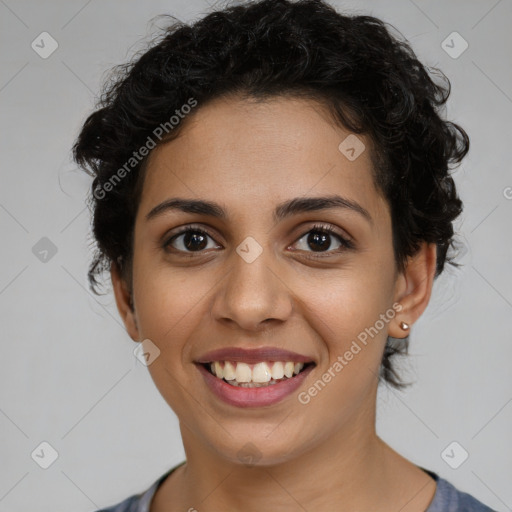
x=351, y=469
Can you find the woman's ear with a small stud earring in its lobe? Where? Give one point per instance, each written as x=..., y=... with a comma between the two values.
x=414, y=288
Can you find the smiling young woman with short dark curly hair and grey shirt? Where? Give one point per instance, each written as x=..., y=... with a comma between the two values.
x=273, y=201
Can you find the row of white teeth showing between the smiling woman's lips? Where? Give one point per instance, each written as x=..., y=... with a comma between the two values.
x=263, y=374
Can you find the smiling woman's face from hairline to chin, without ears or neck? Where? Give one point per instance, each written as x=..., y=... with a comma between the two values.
x=252, y=274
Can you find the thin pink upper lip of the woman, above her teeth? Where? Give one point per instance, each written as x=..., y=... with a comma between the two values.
x=252, y=355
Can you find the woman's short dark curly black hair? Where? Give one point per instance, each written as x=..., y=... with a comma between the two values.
x=370, y=80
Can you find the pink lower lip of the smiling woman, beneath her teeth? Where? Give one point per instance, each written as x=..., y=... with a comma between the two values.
x=253, y=397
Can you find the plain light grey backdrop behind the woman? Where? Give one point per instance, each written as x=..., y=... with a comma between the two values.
x=68, y=373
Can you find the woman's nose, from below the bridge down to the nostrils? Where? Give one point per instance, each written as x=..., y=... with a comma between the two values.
x=253, y=296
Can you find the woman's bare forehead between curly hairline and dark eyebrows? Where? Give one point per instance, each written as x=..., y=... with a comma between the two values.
x=247, y=154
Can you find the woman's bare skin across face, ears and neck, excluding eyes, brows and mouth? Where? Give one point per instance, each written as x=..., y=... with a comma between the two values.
x=325, y=455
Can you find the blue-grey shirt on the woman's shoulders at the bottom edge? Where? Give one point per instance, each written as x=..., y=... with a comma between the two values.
x=446, y=498
